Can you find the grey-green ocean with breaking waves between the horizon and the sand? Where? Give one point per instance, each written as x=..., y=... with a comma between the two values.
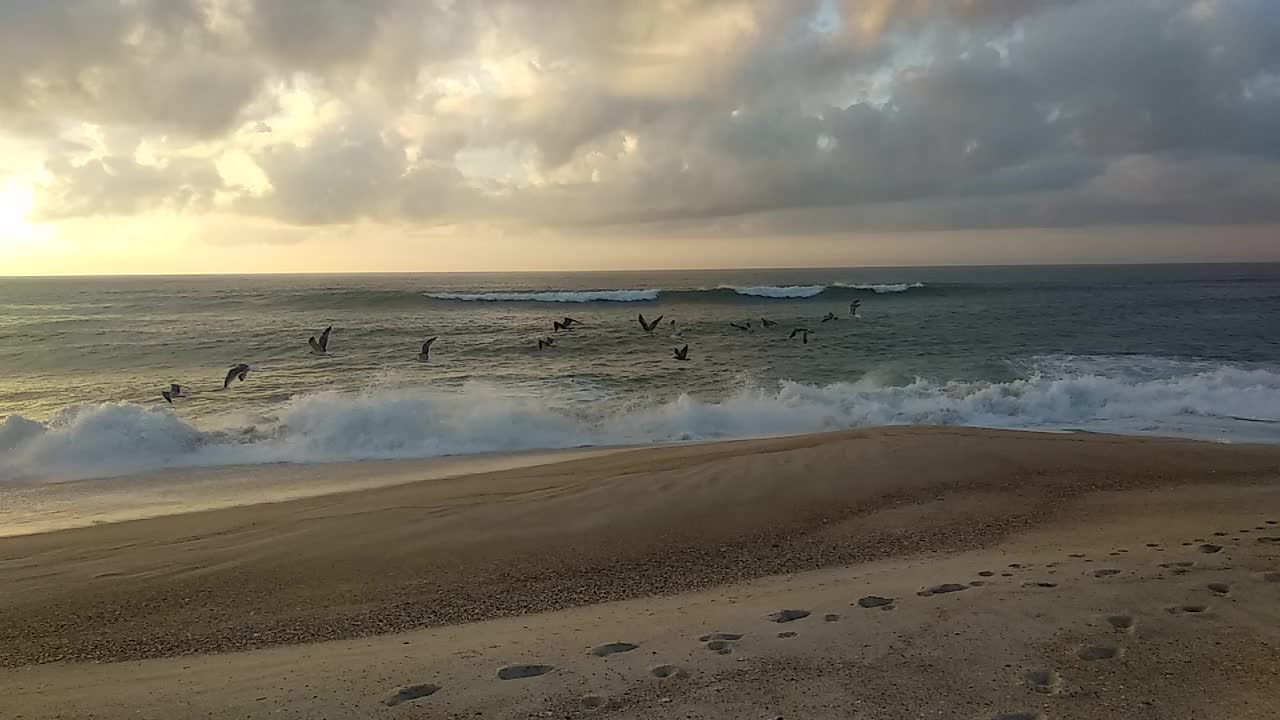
x=1168, y=350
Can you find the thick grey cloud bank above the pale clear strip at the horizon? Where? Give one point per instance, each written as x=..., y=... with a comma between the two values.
x=824, y=116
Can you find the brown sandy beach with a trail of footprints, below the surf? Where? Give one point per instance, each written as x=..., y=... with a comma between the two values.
x=889, y=573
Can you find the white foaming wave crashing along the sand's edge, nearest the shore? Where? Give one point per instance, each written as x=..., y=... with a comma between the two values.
x=1208, y=400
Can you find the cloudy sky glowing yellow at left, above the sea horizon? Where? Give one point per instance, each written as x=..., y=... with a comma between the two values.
x=243, y=136
